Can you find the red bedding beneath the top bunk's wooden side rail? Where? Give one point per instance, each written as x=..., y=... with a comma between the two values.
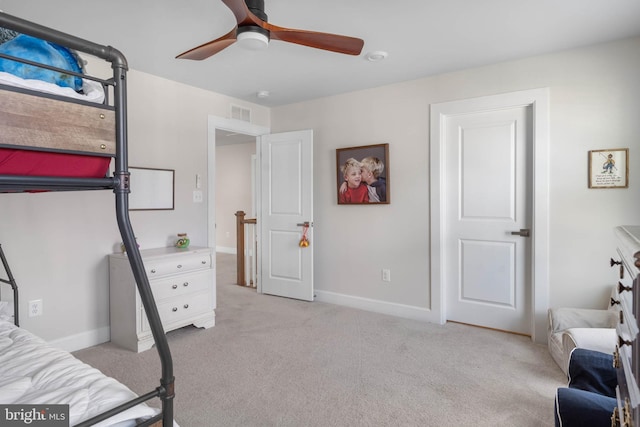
x=39, y=163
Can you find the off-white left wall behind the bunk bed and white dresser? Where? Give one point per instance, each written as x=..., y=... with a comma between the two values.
x=57, y=243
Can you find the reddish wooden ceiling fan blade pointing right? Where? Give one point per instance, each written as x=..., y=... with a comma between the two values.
x=325, y=41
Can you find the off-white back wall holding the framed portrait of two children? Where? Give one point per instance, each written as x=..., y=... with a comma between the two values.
x=594, y=105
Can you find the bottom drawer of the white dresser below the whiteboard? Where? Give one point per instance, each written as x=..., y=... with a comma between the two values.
x=181, y=309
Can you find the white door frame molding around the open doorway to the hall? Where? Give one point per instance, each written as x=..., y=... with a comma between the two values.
x=231, y=125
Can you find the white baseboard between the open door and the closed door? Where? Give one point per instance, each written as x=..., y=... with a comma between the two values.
x=383, y=307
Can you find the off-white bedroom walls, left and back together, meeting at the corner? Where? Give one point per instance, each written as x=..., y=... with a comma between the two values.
x=57, y=242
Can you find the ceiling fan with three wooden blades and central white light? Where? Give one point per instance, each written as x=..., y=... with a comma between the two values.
x=252, y=25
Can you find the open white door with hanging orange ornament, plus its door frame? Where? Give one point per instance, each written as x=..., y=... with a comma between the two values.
x=284, y=208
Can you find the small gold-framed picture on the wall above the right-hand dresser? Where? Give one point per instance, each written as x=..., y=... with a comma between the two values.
x=609, y=168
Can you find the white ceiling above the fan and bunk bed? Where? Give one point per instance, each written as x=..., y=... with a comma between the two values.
x=422, y=37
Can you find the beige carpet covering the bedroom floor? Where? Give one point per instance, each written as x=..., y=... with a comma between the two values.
x=272, y=361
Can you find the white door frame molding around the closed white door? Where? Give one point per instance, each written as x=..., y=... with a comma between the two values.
x=538, y=100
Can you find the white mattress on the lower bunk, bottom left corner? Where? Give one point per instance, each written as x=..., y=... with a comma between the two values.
x=34, y=373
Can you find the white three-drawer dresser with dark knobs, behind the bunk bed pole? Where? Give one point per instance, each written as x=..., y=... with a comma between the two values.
x=183, y=286
